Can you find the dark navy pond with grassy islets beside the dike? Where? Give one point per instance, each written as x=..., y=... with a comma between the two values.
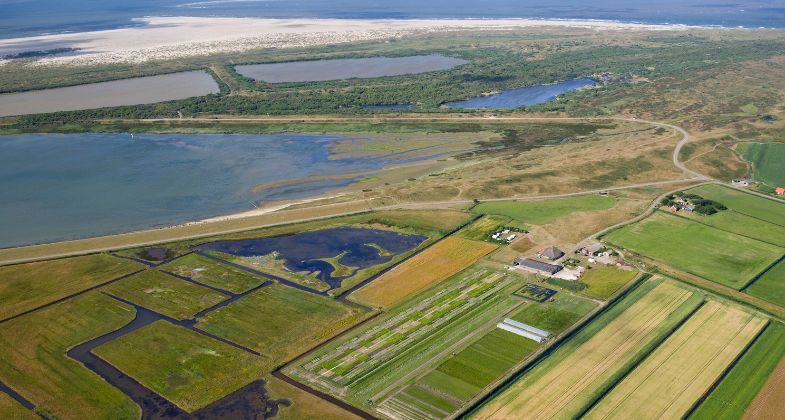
x=304, y=251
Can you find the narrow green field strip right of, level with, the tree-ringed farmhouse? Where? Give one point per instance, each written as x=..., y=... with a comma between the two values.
x=741, y=224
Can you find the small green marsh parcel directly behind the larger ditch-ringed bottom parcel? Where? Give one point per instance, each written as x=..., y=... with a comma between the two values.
x=165, y=294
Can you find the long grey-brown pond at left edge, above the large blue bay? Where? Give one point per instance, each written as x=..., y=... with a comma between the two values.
x=136, y=91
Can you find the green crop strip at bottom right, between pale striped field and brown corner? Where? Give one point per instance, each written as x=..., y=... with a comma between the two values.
x=740, y=386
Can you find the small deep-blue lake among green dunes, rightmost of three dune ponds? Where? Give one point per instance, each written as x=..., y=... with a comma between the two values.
x=529, y=95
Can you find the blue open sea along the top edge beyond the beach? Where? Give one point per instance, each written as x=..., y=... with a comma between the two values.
x=33, y=17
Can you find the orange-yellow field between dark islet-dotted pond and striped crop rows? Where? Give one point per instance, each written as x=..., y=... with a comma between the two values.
x=448, y=257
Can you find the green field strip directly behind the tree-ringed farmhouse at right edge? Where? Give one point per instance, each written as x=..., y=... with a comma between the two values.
x=758, y=207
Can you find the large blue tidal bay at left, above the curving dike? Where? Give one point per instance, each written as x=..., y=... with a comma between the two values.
x=67, y=186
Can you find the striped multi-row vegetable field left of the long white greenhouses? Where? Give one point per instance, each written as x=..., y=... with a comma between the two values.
x=377, y=359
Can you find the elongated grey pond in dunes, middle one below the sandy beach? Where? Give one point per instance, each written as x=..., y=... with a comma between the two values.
x=347, y=68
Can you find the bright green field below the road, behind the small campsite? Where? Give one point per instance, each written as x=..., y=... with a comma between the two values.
x=541, y=212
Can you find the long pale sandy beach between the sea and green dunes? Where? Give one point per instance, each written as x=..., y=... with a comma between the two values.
x=166, y=38
